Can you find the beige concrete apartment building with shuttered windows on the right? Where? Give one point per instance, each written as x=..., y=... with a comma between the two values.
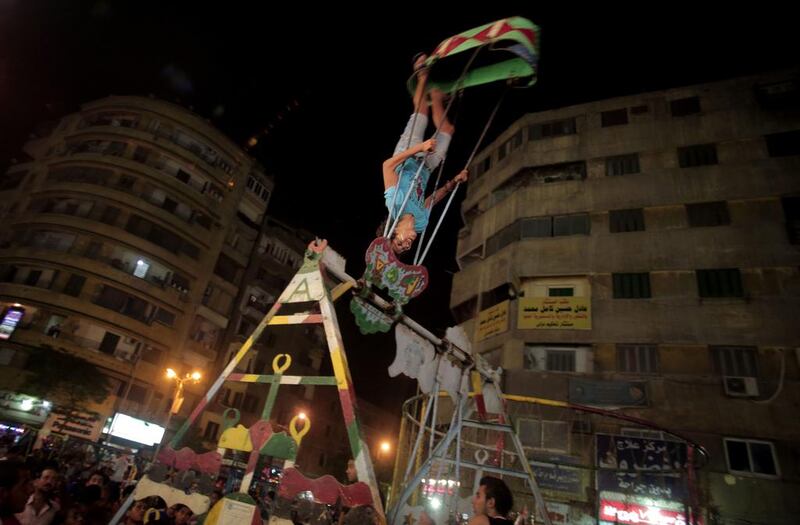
x=642, y=254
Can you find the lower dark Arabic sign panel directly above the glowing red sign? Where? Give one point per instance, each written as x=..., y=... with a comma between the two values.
x=670, y=487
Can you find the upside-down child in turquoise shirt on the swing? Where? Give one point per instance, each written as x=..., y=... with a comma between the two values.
x=402, y=167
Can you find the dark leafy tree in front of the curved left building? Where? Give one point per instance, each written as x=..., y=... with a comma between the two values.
x=69, y=381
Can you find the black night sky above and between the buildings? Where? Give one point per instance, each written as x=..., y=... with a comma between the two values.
x=342, y=73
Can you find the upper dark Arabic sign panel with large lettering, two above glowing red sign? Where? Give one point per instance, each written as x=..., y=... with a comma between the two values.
x=632, y=454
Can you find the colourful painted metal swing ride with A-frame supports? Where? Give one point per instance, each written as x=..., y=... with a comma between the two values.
x=503, y=51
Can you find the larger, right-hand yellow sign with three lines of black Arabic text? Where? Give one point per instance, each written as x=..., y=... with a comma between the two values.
x=555, y=313
